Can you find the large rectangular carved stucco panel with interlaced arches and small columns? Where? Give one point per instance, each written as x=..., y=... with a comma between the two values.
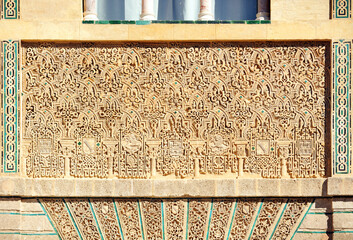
x=182, y=110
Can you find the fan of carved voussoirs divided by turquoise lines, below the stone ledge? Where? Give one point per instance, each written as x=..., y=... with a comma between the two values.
x=130, y=219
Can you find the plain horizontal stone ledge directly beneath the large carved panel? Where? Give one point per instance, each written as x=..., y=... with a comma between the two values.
x=316, y=187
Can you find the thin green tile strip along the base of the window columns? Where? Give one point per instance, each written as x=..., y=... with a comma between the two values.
x=141, y=22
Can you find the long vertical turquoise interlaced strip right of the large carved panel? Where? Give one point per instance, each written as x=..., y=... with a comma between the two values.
x=342, y=106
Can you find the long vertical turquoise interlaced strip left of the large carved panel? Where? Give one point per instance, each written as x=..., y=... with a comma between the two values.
x=10, y=101
